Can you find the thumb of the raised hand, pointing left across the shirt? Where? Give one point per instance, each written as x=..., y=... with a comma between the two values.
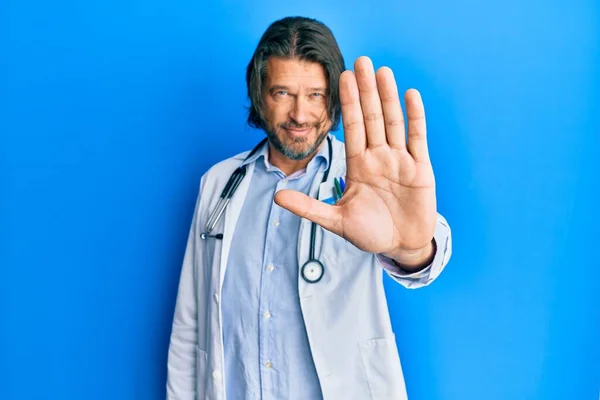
x=329, y=217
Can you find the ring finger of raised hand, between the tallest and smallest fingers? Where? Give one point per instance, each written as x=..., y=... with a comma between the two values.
x=392, y=109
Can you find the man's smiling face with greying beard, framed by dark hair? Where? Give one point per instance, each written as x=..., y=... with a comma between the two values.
x=295, y=106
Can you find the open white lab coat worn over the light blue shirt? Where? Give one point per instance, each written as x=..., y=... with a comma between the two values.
x=345, y=314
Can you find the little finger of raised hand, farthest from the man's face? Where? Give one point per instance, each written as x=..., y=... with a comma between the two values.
x=417, y=130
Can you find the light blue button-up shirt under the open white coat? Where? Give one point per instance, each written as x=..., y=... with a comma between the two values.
x=267, y=354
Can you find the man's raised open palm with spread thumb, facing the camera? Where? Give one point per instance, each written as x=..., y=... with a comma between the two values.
x=389, y=205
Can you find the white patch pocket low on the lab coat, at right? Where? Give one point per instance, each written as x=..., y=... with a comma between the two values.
x=383, y=369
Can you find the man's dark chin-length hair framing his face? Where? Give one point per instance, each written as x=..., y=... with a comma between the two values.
x=296, y=37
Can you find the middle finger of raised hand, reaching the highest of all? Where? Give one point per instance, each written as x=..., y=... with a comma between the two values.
x=370, y=102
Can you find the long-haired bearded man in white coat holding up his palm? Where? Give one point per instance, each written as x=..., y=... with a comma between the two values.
x=281, y=293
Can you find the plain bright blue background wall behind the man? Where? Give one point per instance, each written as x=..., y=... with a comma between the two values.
x=110, y=111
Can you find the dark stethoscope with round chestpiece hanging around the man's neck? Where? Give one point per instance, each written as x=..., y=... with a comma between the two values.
x=313, y=270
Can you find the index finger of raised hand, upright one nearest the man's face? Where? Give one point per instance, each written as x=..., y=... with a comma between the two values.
x=354, y=129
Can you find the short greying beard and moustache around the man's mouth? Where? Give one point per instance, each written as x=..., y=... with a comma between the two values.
x=288, y=149
